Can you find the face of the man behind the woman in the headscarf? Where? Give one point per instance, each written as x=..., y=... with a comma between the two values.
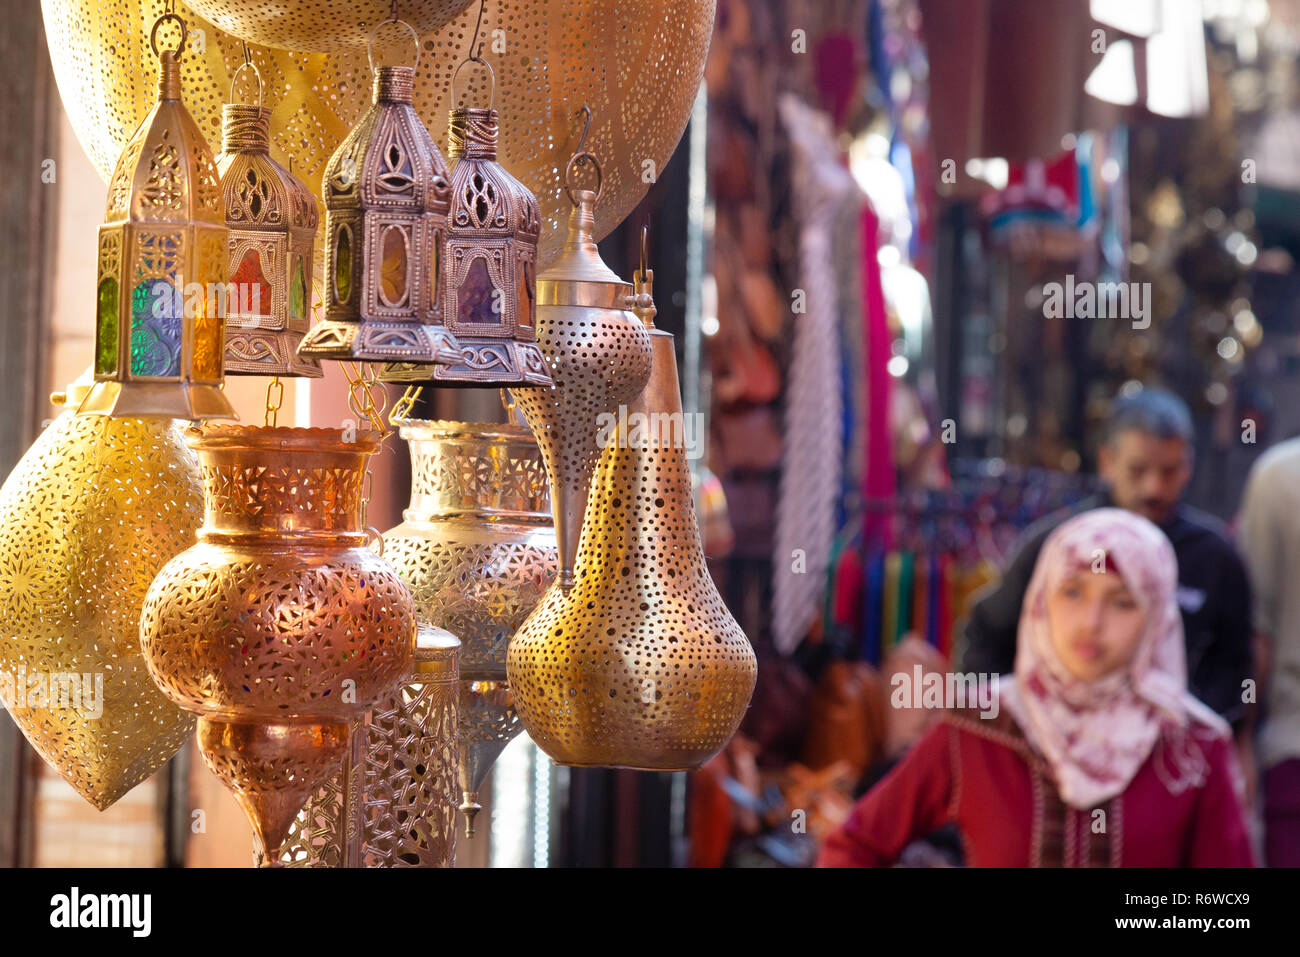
x=1147, y=475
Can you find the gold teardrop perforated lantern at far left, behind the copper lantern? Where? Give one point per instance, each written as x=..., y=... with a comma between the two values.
x=89, y=516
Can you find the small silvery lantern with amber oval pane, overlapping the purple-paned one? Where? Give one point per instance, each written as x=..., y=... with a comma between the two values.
x=387, y=197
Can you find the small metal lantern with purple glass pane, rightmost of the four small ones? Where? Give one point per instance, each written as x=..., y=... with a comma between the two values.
x=491, y=287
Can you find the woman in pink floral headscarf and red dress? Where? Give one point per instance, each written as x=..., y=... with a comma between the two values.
x=1094, y=754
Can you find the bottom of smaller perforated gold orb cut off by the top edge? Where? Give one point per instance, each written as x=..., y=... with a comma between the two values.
x=319, y=27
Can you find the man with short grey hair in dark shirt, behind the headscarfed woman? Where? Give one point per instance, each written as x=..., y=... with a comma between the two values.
x=1146, y=464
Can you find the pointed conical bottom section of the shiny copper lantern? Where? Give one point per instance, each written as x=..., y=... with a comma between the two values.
x=272, y=769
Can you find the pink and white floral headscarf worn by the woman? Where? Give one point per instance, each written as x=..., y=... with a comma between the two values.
x=1097, y=735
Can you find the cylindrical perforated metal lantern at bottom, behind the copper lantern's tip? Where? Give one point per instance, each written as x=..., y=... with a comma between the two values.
x=393, y=804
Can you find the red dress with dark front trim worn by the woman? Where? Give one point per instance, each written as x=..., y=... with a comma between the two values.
x=983, y=777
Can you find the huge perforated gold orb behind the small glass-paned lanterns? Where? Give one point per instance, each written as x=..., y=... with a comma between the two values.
x=636, y=63
